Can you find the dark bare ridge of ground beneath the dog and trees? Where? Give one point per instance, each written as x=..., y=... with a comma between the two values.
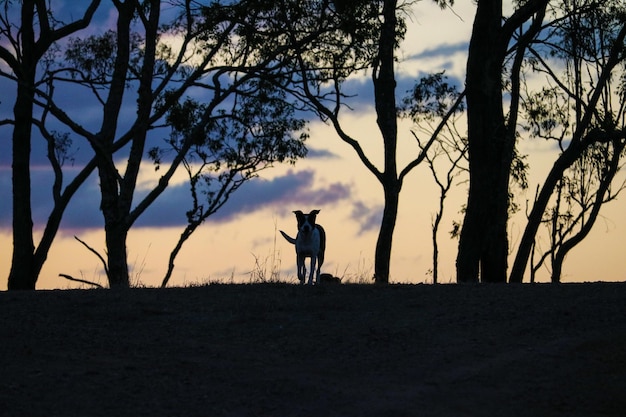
x=336, y=350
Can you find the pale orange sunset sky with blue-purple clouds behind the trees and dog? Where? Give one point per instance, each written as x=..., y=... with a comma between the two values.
x=242, y=239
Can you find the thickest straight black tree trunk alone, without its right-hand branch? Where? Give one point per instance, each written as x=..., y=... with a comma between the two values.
x=483, y=245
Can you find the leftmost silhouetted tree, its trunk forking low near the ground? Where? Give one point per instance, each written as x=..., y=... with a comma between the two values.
x=23, y=47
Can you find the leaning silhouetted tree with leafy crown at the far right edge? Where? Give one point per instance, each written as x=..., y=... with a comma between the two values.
x=584, y=113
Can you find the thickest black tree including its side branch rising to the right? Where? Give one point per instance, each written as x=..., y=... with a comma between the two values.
x=483, y=243
